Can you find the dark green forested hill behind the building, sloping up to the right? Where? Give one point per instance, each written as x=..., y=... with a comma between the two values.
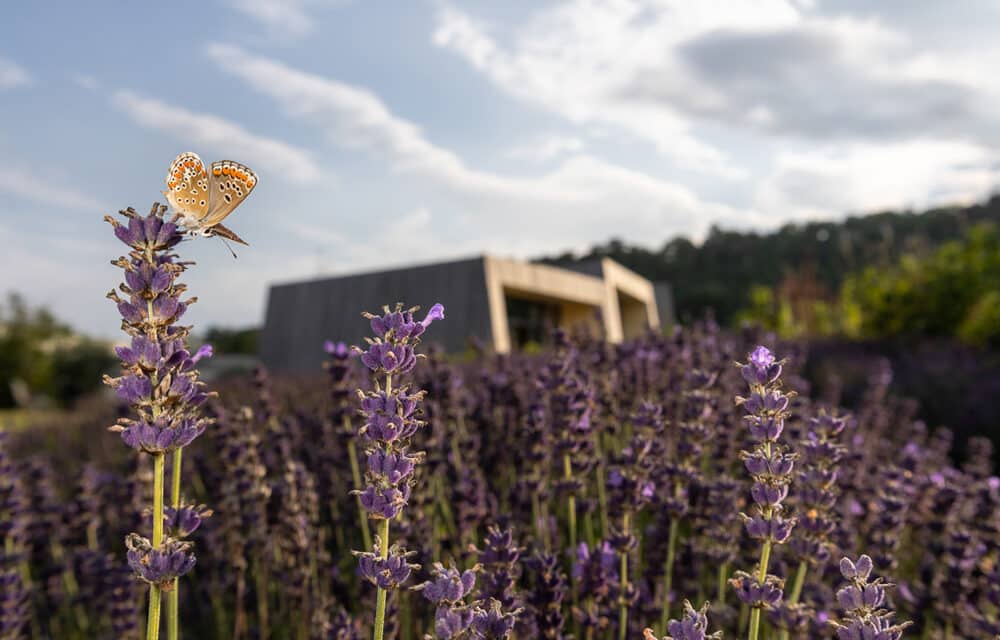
x=718, y=274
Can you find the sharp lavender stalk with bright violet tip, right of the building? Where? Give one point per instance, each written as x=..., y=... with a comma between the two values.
x=771, y=468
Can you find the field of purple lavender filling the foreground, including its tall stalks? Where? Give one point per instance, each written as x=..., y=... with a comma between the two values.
x=686, y=485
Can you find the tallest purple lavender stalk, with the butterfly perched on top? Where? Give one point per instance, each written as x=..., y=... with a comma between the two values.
x=160, y=382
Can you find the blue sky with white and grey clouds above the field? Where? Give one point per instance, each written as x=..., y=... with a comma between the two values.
x=391, y=133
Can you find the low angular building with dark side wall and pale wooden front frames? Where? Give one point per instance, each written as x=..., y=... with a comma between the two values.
x=501, y=303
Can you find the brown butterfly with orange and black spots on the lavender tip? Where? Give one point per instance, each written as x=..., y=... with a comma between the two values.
x=203, y=198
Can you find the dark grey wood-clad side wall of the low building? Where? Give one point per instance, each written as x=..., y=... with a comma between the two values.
x=302, y=315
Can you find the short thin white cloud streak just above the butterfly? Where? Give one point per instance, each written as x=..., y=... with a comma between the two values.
x=263, y=154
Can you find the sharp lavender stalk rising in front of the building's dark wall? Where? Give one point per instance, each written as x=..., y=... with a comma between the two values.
x=391, y=417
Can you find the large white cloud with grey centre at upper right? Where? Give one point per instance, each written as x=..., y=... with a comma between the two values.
x=665, y=70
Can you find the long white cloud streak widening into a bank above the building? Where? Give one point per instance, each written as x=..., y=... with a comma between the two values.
x=582, y=200
